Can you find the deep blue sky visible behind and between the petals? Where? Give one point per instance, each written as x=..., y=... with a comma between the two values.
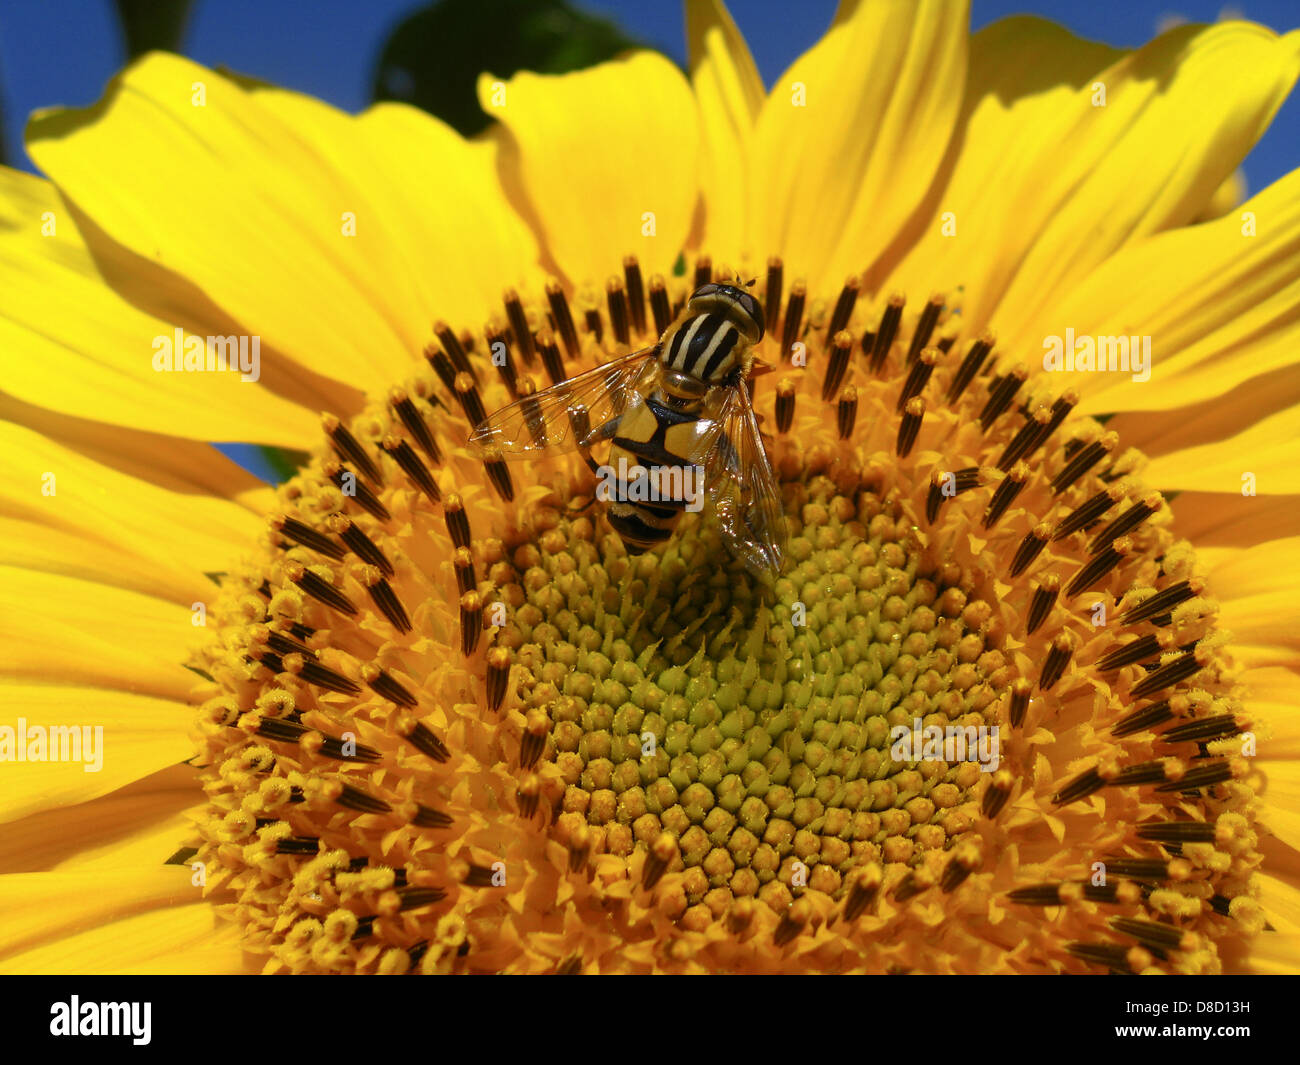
x=64, y=51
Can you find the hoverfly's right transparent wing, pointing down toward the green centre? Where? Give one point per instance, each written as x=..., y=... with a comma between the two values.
x=740, y=483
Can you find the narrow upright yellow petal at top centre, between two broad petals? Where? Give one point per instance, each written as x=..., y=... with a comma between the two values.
x=731, y=96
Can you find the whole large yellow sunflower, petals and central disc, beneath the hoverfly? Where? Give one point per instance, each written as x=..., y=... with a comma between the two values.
x=419, y=709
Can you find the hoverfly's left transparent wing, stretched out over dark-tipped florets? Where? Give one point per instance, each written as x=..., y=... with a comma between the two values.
x=573, y=414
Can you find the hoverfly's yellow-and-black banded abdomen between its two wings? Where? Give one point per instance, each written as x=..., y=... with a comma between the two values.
x=648, y=439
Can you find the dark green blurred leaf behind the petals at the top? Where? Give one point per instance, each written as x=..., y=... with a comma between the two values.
x=435, y=58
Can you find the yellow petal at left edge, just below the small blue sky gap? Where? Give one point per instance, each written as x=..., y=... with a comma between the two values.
x=64, y=514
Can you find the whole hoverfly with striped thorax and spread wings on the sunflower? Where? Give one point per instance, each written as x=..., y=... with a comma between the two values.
x=678, y=412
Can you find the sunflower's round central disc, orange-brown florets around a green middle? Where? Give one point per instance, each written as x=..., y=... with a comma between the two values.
x=453, y=726
